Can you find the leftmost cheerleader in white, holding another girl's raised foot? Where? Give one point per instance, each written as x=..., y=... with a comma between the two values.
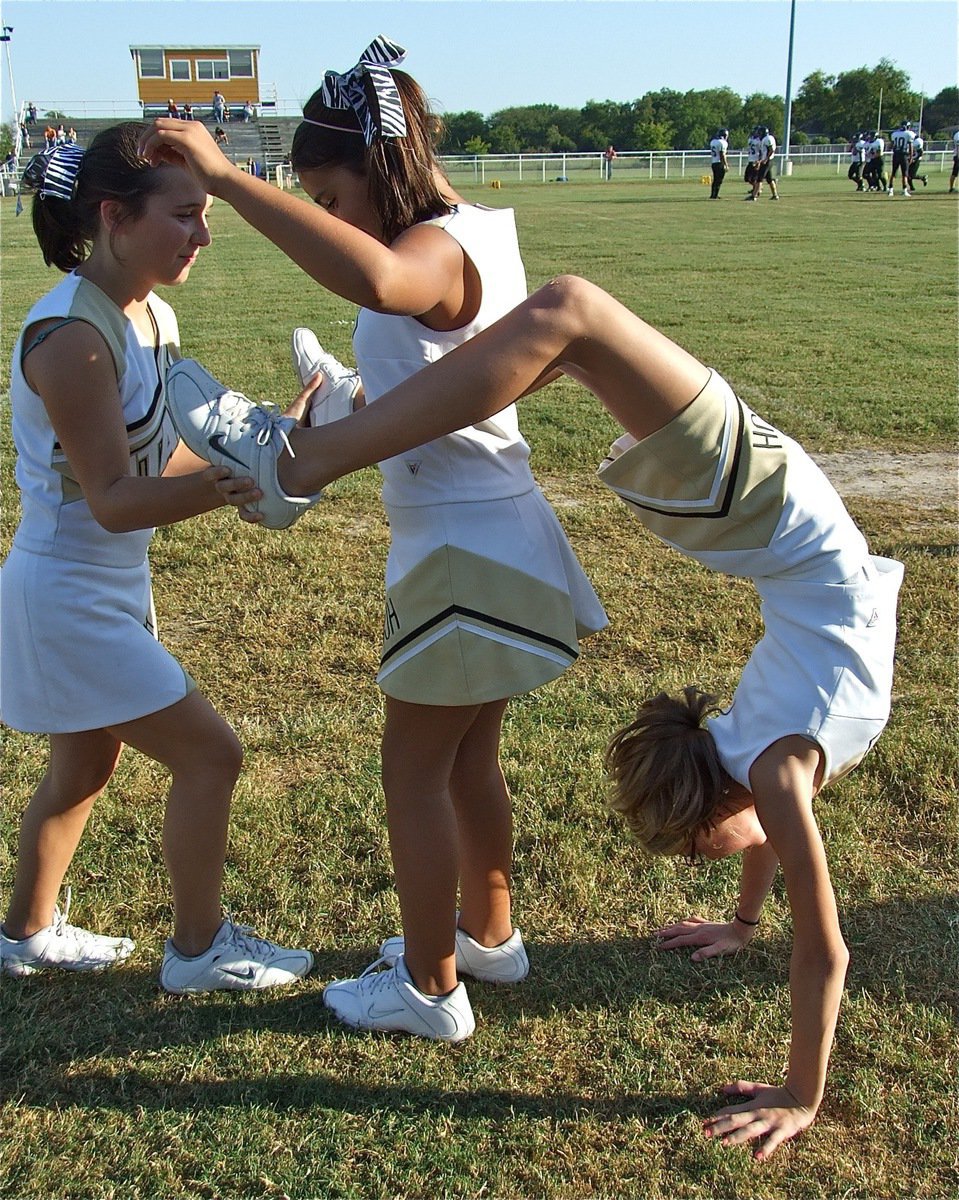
x=99, y=465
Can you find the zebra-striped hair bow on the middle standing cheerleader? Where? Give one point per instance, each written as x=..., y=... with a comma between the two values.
x=367, y=94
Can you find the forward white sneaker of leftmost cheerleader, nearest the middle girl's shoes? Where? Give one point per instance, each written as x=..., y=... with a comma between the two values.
x=236, y=962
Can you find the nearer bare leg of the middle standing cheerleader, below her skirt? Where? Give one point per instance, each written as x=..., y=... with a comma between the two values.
x=421, y=745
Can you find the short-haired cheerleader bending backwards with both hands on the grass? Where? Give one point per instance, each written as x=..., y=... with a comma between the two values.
x=723, y=487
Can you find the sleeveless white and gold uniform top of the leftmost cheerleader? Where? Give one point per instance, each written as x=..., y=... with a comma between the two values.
x=57, y=520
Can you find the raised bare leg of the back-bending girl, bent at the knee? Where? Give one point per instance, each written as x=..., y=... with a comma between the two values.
x=639, y=375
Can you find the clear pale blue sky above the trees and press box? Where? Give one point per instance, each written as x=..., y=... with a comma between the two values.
x=486, y=55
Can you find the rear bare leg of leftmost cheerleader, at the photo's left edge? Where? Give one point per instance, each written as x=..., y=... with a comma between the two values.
x=80, y=769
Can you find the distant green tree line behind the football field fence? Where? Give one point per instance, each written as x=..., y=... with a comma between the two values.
x=826, y=110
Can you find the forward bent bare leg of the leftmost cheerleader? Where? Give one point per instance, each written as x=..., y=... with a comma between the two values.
x=205, y=758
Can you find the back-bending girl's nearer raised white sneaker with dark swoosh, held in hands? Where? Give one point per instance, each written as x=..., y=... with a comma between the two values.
x=229, y=430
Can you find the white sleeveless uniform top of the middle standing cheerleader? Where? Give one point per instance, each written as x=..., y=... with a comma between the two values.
x=484, y=461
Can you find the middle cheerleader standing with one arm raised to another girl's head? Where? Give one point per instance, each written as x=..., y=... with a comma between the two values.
x=486, y=599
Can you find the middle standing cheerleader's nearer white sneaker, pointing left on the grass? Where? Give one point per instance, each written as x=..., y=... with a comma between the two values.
x=385, y=998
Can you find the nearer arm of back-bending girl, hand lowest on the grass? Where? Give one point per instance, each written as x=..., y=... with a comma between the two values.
x=783, y=784
